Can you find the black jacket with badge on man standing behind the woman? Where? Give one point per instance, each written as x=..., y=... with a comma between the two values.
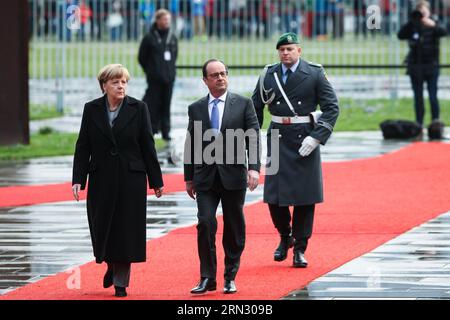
x=151, y=56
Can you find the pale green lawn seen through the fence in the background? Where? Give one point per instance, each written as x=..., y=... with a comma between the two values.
x=85, y=59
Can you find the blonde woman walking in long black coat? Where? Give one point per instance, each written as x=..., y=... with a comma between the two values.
x=115, y=147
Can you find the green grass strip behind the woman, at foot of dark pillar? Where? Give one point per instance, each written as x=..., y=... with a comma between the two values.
x=48, y=145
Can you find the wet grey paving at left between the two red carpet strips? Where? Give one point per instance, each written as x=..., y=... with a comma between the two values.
x=41, y=240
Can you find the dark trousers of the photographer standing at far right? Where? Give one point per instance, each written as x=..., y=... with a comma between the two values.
x=419, y=75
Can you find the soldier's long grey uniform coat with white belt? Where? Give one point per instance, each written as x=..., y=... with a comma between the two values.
x=298, y=180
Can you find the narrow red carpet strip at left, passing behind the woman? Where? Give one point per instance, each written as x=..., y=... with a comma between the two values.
x=27, y=195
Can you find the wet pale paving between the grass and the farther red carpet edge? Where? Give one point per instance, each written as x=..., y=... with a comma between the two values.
x=341, y=146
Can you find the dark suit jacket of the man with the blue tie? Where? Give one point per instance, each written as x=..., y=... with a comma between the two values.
x=239, y=115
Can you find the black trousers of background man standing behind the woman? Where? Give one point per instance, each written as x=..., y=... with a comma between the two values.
x=158, y=97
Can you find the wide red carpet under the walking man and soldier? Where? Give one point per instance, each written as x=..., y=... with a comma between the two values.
x=368, y=202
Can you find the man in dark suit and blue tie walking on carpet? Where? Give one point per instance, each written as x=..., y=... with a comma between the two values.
x=223, y=129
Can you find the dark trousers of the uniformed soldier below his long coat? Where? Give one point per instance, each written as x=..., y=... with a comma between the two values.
x=302, y=223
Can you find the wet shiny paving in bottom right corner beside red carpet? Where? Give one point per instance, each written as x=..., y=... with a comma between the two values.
x=415, y=265
